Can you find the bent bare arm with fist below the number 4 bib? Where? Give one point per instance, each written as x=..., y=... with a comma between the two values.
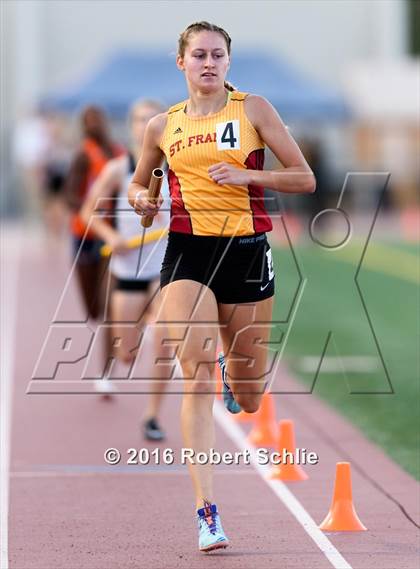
x=296, y=177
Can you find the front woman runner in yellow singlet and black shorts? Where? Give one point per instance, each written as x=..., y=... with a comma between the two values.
x=217, y=272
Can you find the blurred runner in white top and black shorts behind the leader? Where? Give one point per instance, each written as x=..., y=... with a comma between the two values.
x=134, y=299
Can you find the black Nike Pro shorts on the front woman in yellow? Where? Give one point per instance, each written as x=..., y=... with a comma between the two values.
x=236, y=269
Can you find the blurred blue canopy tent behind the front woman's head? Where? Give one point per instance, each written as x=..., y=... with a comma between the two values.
x=128, y=75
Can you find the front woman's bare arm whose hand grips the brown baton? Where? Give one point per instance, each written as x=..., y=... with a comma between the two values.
x=151, y=158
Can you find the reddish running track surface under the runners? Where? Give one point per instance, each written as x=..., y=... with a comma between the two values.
x=69, y=510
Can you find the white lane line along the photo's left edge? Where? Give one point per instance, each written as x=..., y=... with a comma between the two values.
x=9, y=278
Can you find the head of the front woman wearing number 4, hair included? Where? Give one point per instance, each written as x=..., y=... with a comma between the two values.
x=204, y=56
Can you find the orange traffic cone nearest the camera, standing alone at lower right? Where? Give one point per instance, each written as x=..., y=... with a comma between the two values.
x=342, y=515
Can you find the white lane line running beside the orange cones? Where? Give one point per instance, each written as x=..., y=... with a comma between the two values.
x=280, y=489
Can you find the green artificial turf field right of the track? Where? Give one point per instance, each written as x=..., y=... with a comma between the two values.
x=384, y=403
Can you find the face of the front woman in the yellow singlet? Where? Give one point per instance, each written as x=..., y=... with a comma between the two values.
x=205, y=61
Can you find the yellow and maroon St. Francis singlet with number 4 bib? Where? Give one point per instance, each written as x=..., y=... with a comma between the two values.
x=191, y=145
